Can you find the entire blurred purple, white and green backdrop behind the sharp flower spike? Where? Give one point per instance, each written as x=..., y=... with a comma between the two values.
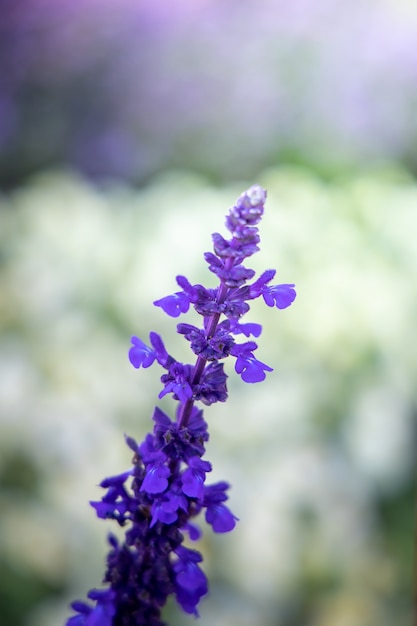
x=127, y=130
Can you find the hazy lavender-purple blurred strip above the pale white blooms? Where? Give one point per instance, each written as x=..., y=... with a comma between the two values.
x=298, y=101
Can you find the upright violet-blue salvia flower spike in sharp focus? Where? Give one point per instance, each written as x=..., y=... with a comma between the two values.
x=159, y=497
